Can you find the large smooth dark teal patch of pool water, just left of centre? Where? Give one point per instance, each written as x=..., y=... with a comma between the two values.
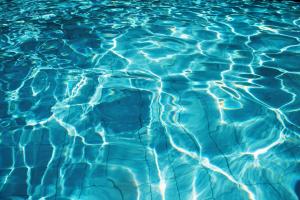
x=129, y=112
